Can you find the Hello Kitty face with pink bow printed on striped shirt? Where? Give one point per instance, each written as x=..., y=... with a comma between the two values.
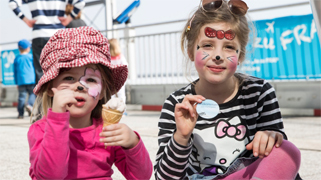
x=216, y=147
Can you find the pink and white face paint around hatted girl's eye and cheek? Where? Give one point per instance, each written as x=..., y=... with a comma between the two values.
x=92, y=81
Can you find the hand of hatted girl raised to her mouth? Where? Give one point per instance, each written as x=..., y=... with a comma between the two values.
x=62, y=99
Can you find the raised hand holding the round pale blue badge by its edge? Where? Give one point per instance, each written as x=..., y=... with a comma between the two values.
x=186, y=117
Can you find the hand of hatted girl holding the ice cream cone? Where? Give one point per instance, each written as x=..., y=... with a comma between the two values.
x=119, y=135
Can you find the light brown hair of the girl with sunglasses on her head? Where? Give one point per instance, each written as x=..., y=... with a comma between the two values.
x=200, y=18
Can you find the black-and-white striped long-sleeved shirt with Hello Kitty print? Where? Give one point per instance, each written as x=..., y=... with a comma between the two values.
x=216, y=143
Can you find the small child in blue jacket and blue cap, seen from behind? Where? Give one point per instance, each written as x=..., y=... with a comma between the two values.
x=24, y=76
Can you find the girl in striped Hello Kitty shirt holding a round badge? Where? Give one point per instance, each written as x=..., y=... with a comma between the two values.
x=224, y=125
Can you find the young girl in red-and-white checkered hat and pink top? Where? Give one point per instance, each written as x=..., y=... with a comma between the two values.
x=70, y=142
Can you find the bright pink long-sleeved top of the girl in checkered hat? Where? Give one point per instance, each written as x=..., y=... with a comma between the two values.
x=60, y=152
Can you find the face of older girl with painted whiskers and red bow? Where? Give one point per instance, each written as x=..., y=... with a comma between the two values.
x=219, y=43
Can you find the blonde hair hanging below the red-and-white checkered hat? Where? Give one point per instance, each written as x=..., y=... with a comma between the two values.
x=44, y=101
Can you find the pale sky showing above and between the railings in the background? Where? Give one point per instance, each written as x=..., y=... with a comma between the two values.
x=12, y=29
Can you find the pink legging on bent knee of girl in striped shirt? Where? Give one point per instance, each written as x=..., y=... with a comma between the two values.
x=282, y=163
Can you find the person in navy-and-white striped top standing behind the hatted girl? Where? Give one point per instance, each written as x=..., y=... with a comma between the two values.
x=47, y=18
